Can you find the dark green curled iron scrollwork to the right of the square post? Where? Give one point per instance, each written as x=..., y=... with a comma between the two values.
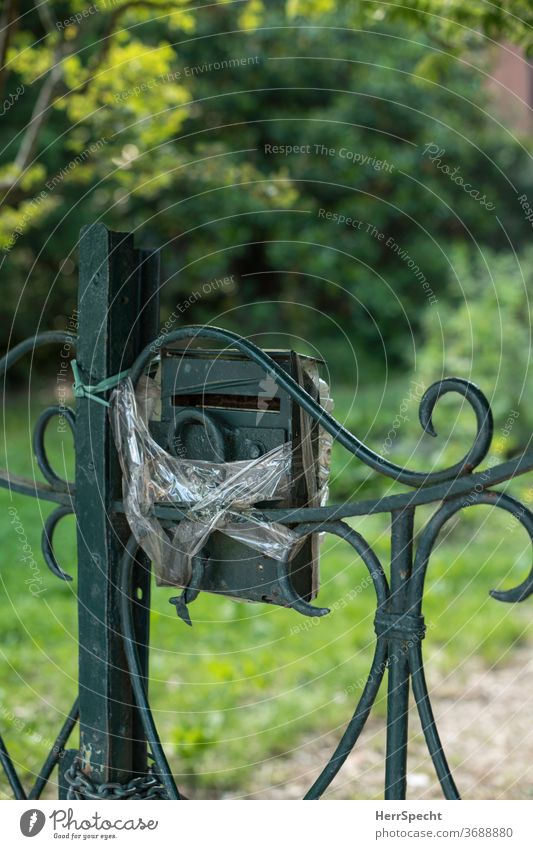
x=399, y=623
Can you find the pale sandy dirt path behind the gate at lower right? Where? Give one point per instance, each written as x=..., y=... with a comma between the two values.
x=485, y=719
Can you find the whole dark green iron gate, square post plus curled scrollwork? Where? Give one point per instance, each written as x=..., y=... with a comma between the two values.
x=119, y=754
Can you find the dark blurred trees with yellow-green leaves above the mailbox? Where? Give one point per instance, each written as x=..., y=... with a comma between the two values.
x=155, y=119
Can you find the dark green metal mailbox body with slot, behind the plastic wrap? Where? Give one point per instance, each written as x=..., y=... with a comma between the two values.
x=252, y=415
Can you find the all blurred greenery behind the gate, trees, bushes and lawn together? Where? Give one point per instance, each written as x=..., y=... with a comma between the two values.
x=180, y=159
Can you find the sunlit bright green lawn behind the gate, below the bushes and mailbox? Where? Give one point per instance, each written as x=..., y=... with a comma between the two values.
x=248, y=683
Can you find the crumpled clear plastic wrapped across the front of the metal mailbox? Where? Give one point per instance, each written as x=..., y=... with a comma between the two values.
x=214, y=496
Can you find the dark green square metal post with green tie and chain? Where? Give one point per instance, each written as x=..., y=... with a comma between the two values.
x=118, y=312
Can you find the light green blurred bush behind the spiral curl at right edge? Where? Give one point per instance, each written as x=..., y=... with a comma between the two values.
x=484, y=334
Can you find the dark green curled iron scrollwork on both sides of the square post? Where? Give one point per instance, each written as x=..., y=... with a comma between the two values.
x=399, y=600
